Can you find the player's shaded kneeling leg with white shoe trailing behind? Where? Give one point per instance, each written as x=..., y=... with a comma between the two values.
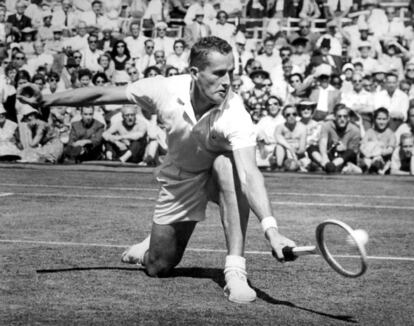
x=160, y=252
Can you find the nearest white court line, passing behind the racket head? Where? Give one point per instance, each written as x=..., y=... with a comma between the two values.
x=102, y=245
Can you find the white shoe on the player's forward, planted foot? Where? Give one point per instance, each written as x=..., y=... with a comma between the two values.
x=237, y=289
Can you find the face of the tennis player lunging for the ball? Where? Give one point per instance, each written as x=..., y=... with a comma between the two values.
x=215, y=79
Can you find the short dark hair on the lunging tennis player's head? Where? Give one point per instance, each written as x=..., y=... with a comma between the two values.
x=206, y=45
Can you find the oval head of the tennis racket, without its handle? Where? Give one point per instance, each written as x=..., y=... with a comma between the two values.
x=341, y=249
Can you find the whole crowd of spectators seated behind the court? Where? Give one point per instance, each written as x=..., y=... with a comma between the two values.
x=328, y=83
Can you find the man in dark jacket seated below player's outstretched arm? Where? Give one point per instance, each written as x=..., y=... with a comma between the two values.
x=85, y=138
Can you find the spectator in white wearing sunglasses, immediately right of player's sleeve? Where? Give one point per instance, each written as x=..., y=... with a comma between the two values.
x=265, y=130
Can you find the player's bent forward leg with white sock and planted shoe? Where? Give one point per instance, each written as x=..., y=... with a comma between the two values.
x=225, y=190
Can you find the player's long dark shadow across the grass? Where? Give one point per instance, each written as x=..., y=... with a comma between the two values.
x=215, y=274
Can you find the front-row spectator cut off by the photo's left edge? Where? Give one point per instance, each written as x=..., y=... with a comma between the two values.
x=9, y=138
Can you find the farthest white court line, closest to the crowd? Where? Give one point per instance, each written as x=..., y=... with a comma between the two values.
x=155, y=189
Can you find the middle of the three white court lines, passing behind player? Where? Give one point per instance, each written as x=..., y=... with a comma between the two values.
x=280, y=203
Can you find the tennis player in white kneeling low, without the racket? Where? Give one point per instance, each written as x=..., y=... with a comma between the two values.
x=211, y=156
